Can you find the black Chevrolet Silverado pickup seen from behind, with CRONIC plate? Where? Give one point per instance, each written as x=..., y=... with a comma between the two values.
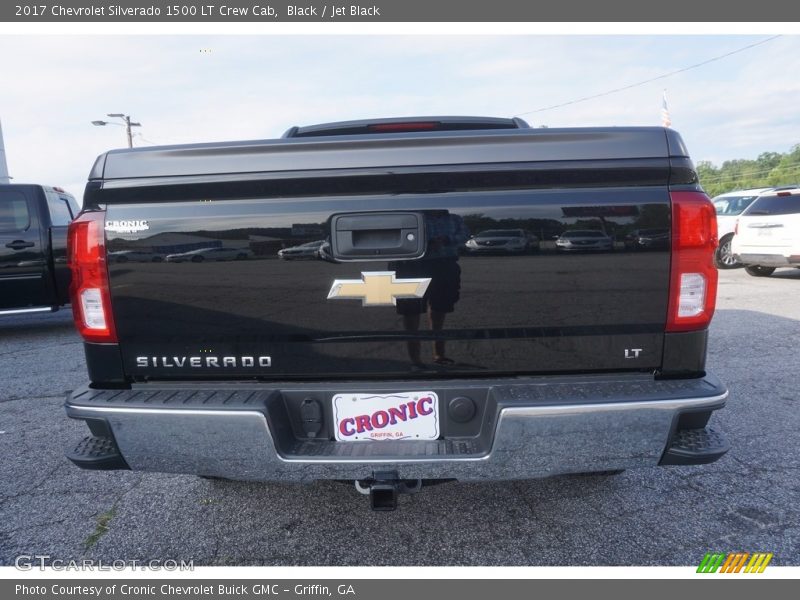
x=391, y=358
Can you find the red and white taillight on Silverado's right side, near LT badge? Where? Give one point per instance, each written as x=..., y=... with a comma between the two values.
x=693, y=276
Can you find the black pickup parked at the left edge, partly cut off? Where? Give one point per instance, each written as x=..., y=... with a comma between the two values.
x=34, y=276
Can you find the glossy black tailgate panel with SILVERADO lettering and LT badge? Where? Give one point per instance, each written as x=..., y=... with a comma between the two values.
x=212, y=297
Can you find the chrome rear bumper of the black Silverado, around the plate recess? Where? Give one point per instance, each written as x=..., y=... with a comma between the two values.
x=539, y=427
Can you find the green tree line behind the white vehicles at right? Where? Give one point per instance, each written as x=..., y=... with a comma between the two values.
x=768, y=170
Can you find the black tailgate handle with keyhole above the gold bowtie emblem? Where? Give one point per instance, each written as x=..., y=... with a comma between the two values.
x=377, y=236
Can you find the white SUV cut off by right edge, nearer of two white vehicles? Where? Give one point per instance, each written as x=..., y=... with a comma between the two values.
x=768, y=233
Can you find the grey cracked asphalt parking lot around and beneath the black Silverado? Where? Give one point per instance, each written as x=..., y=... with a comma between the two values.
x=662, y=516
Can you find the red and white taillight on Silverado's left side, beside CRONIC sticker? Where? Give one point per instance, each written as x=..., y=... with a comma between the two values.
x=89, y=291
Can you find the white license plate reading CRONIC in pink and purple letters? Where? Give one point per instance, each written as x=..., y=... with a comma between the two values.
x=402, y=416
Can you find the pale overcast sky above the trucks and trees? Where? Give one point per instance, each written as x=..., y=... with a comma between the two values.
x=196, y=88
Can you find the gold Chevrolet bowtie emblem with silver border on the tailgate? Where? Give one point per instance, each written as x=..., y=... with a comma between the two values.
x=379, y=288
